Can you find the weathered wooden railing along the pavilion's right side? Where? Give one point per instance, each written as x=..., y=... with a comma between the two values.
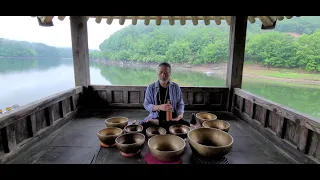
x=282, y=125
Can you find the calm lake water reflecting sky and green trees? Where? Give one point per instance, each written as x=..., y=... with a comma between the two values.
x=26, y=80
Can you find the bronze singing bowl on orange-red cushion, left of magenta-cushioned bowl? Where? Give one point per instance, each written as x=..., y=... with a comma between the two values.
x=130, y=143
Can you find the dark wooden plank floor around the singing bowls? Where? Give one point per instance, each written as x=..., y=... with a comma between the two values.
x=77, y=143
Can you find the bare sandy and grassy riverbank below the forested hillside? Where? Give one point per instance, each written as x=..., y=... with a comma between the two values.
x=250, y=71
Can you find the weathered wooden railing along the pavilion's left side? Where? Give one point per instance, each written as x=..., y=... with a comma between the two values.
x=25, y=125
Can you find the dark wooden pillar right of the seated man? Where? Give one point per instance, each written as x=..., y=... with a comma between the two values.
x=238, y=30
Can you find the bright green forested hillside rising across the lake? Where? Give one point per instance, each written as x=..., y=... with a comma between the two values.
x=294, y=43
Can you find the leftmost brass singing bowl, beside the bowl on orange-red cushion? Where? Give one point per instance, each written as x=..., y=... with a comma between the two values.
x=108, y=135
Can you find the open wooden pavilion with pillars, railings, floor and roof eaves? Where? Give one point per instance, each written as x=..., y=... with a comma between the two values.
x=62, y=128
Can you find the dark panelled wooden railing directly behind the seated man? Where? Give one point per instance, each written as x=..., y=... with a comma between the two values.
x=204, y=98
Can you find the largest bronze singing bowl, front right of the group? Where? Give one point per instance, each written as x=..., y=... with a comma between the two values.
x=210, y=142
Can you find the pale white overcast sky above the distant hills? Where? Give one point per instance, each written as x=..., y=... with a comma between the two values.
x=26, y=28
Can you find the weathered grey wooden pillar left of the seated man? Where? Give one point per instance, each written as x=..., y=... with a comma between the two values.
x=80, y=50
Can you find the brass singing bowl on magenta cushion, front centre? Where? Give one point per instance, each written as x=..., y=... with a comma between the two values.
x=166, y=147
